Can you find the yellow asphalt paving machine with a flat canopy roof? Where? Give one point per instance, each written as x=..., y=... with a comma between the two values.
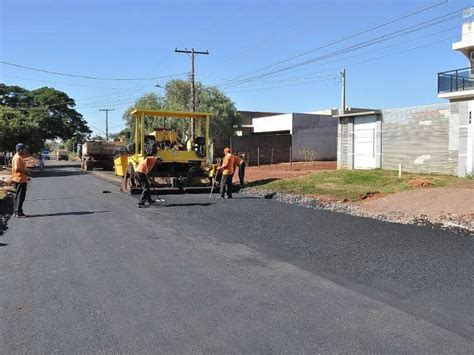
x=181, y=145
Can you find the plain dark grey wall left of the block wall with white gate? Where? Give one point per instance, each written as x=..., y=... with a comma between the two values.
x=314, y=136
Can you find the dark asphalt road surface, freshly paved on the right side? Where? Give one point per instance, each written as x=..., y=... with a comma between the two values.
x=88, y=272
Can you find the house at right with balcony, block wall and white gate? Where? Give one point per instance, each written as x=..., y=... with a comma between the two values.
x=434, y=138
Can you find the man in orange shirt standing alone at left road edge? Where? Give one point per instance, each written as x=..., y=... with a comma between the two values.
x=20, y=176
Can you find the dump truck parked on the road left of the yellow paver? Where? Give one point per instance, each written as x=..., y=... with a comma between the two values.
x=100, y=154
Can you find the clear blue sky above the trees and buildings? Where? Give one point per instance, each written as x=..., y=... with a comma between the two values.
x=130, y=39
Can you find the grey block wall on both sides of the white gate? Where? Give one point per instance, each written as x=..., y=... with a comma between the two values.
x=424, y=139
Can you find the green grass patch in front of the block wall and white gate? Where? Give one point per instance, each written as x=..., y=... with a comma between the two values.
x=352, y=184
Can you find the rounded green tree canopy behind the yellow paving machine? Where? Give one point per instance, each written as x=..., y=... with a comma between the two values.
x=177, y=97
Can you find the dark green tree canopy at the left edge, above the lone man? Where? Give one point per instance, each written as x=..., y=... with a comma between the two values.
x=32, y=117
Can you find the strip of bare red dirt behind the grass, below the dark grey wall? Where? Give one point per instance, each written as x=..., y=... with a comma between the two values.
x=284, y=170
